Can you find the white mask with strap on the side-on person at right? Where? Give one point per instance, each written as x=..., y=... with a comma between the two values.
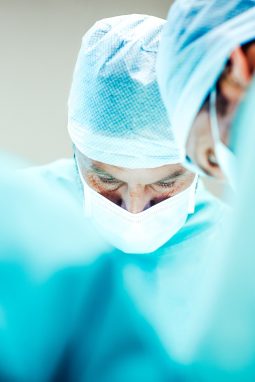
x=225, y=157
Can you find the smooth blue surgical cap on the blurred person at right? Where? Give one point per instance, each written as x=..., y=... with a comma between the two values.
x=195, y=46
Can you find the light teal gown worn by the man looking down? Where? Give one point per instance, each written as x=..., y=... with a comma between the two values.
x=162, y=285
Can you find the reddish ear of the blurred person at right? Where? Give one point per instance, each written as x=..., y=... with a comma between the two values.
x=239, y=68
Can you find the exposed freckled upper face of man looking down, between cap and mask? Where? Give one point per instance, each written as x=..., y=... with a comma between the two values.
x=134, y=189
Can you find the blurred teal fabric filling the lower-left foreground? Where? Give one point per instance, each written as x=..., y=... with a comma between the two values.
x=65, y=313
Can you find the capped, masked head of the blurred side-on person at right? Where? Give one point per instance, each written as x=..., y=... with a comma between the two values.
x=205, y=66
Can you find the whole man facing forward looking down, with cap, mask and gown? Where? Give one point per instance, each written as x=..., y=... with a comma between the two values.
x=127, y=178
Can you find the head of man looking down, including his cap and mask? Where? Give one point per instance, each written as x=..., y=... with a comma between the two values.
x=135, y=189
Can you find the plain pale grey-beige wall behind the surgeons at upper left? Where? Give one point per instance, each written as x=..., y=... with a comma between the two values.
x=39, y=42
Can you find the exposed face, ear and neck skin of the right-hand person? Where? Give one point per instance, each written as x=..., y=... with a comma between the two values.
x=231, y=89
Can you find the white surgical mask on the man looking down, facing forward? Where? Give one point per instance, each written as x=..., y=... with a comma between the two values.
x=144, y=232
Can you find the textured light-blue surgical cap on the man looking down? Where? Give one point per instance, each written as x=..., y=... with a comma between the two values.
x=115, y=112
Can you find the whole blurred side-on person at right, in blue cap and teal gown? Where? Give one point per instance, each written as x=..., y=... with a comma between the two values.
x=212, y=45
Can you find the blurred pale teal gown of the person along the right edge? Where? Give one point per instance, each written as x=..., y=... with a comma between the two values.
x=224, y=349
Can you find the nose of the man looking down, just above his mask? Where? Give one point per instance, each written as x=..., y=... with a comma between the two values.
x=136, y=200
